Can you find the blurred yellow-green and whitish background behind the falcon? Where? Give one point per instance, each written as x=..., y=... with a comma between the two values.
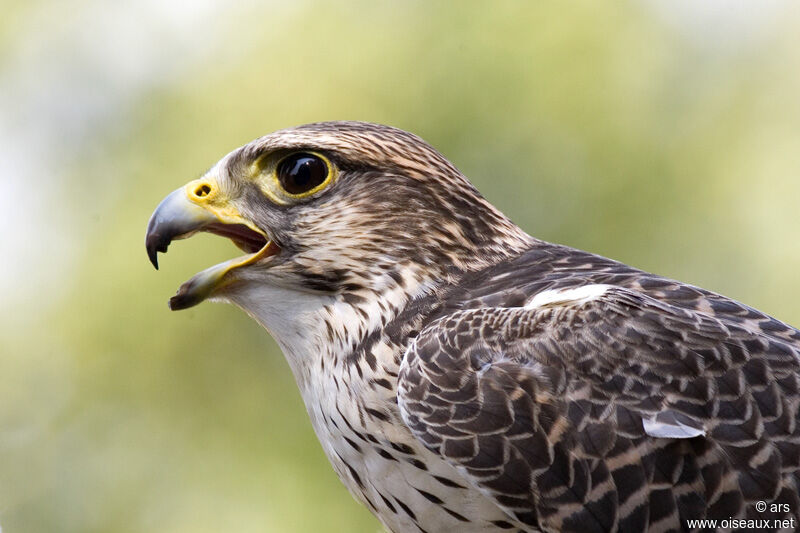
x=665, y=134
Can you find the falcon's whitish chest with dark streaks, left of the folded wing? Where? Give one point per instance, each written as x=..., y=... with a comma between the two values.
x=354, y=412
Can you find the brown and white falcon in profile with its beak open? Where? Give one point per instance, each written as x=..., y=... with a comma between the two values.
x=464, y=376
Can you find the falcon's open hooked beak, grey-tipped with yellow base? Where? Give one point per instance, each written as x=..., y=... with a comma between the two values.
x=200, y=206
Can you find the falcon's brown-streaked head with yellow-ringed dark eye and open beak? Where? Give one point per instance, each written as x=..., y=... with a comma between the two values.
x=335, y=209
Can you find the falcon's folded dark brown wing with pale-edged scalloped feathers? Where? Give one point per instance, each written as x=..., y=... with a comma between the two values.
x=610, y=410
